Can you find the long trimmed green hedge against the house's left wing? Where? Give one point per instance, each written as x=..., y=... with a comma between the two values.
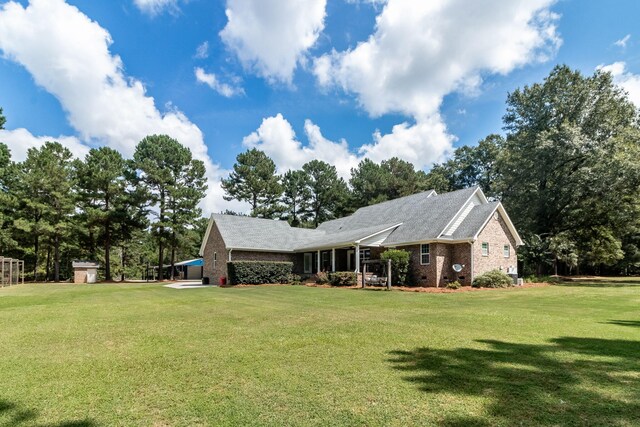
x=259, y=272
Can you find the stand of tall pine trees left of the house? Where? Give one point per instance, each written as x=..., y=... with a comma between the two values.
x=124, y=213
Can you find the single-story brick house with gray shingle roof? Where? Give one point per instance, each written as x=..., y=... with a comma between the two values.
x=460, y=228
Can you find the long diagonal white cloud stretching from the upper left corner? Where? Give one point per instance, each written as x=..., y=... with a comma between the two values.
x=68, y=55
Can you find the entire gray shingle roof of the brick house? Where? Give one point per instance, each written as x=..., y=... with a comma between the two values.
x=422, y=217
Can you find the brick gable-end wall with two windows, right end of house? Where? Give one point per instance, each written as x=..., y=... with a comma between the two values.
x=497, y=234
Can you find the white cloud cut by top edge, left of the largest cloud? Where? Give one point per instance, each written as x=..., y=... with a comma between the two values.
x=271, y=37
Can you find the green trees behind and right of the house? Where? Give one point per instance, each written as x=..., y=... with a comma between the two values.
x=567, y=170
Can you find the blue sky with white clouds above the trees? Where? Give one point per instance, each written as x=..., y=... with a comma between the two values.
x=336, y=80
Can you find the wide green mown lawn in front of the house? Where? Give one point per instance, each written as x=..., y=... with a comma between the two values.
x=75, y=355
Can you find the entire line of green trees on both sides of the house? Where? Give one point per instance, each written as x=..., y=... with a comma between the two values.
x=567, y=169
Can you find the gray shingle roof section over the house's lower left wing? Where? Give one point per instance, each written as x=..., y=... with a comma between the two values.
x=261, y=234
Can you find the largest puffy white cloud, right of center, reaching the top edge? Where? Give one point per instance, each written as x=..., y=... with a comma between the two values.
x=422, y=51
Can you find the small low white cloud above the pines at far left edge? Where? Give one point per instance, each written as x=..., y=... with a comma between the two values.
x=21, y=140
